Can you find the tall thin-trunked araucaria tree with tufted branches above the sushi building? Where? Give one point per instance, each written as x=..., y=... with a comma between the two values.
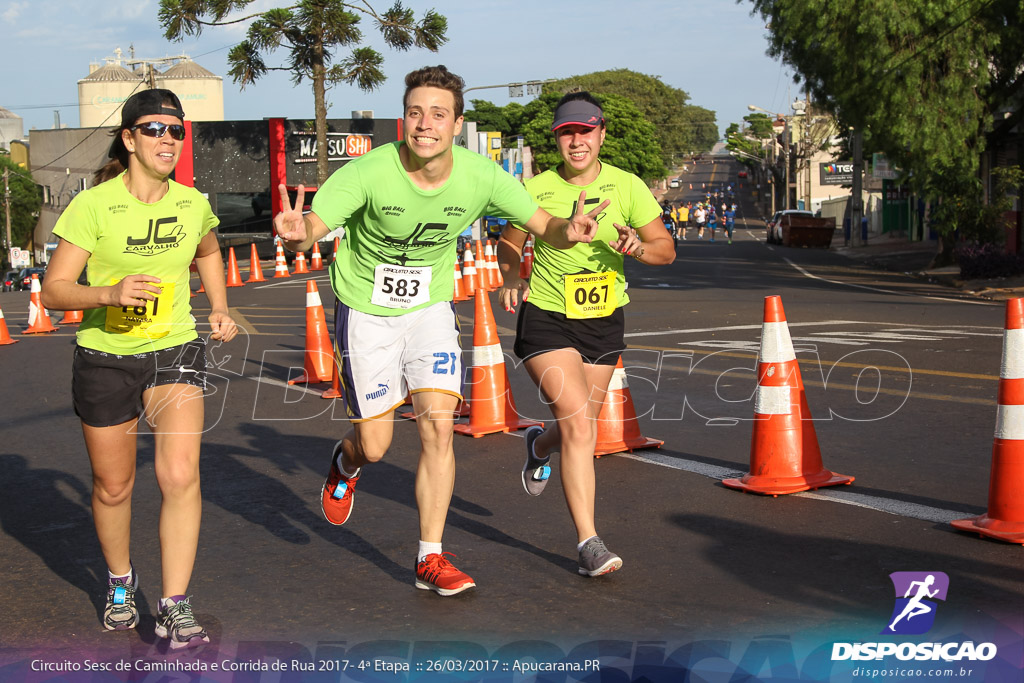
x=311, y=31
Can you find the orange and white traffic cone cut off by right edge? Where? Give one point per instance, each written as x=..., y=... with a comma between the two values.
x=1005, y=519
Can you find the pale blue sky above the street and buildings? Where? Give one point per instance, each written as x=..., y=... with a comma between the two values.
x=713, y=50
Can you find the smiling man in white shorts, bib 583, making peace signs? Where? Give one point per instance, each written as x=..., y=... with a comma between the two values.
x=404, y=207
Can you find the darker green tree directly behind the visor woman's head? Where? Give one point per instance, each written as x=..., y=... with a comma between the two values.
x=630, y=144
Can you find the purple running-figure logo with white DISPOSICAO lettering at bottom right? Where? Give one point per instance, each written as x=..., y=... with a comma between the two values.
x=914, y=614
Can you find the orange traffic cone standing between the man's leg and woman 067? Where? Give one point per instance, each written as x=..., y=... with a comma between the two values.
x=491, y=407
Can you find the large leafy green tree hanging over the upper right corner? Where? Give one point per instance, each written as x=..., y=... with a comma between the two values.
x=924, y=81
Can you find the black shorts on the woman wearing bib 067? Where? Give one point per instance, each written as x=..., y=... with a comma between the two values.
x=600, y=340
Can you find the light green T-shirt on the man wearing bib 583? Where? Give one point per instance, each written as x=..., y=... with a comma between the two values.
x=401, y=242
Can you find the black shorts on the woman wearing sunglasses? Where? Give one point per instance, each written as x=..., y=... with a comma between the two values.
x=107, y=389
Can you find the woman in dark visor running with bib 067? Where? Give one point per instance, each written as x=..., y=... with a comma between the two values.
x=571, y=326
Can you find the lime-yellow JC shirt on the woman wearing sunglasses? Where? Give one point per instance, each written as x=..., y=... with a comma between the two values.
x=126, y=237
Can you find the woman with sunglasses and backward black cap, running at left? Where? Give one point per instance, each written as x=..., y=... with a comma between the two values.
x=139, y=351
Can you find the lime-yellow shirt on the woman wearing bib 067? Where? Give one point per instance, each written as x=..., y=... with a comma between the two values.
x=632, y=204
